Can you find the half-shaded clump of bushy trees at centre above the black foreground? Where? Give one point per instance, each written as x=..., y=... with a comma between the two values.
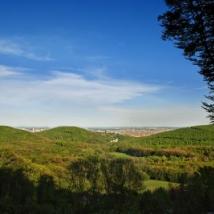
x=107, y=175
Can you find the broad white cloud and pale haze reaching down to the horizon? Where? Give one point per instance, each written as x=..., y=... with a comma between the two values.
x=64, y=98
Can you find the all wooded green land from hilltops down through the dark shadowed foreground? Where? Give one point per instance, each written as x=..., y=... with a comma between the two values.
x=73, y=170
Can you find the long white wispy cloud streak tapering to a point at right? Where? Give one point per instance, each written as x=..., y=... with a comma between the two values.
x=73, y=88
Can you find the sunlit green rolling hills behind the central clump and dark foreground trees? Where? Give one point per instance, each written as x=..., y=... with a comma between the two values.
x=172, y=154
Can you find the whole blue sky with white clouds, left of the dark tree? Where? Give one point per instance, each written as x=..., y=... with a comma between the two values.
x=93, y=63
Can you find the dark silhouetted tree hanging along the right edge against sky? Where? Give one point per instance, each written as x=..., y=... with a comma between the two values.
x=190, y=24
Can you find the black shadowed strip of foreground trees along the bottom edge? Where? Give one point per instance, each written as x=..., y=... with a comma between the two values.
x=18, y=195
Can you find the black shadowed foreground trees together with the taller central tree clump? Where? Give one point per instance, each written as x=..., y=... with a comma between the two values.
x=120, y=193
